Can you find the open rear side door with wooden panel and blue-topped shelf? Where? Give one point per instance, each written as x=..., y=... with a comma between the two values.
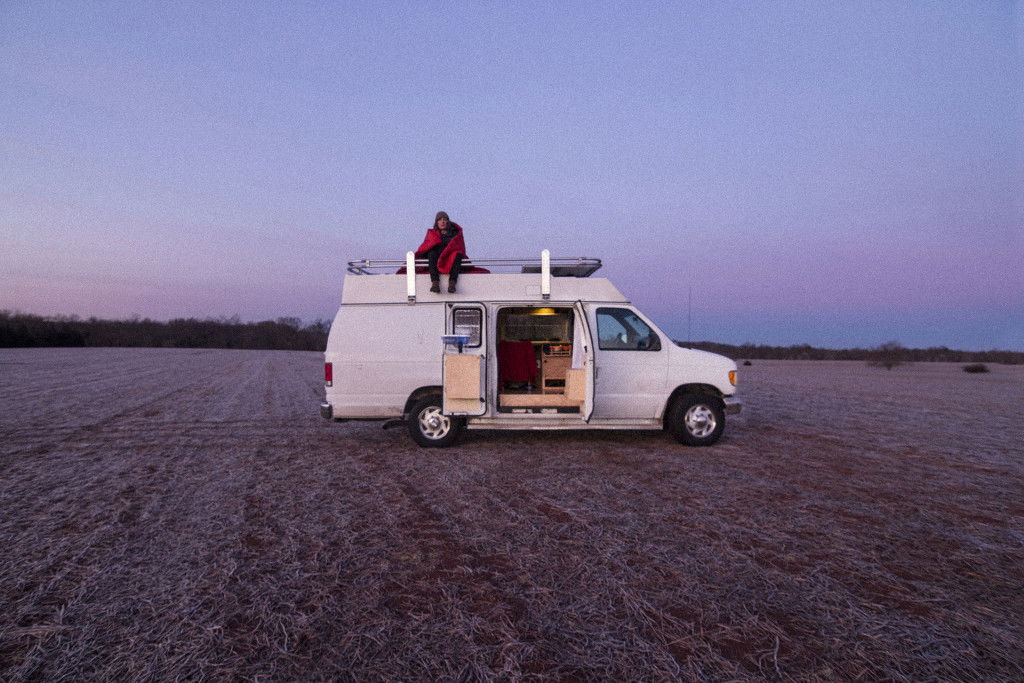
x=464, y=363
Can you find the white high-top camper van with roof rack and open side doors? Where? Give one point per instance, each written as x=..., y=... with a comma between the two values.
x=546, y=347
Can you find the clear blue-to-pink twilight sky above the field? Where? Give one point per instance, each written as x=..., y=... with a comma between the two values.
x=833, y=174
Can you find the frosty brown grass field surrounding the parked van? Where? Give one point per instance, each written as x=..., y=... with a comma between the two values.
x=187, y=515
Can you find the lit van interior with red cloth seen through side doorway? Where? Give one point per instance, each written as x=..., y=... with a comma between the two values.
x=535, y=360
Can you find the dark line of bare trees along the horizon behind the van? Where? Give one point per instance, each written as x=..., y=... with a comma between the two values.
x=28, y=330
